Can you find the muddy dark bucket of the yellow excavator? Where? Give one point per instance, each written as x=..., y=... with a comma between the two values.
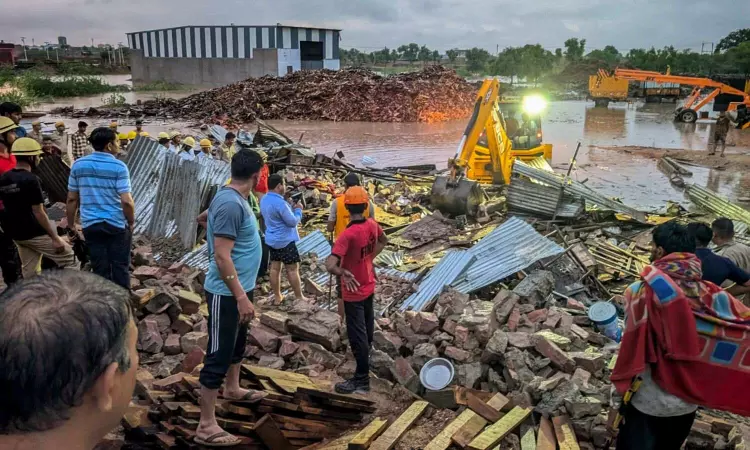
x=457, y=198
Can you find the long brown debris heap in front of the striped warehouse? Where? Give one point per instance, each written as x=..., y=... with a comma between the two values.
x=431, y=95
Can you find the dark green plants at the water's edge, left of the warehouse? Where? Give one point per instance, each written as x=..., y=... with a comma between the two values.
x=41, y=85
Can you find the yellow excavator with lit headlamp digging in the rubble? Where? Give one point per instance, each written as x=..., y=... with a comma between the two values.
x=486, y=151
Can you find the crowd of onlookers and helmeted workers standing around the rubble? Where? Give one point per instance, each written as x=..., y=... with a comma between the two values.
x=72, y=378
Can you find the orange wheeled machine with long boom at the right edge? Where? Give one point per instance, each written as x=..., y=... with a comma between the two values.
x=737, y=112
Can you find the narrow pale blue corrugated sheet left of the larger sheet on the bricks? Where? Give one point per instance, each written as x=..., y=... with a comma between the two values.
x=450, y=267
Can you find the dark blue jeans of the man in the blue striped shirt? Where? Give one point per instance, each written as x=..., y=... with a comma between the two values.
x=109, y=251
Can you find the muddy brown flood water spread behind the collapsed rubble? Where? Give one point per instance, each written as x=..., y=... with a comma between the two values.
x=633, y=178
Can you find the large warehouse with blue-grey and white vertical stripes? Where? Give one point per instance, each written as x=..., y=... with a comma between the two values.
x=217, y=55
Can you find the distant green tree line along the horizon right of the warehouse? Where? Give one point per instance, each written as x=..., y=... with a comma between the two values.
x=533, y=62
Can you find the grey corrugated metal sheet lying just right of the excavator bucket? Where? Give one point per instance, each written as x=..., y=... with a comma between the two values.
x=539, y=200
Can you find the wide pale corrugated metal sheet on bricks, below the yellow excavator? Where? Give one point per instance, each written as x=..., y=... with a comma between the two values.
x=511, y=247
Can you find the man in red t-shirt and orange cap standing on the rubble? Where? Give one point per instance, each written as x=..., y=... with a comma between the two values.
x=352, y=259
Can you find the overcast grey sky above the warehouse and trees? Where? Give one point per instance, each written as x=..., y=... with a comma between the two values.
x=372, y=24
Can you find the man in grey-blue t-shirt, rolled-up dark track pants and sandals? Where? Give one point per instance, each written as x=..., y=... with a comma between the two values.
x=234, y=251
